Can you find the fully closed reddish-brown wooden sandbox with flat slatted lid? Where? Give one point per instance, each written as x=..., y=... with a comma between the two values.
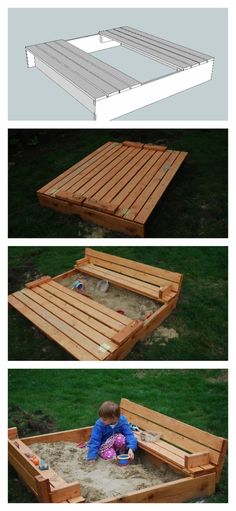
x=117, y=186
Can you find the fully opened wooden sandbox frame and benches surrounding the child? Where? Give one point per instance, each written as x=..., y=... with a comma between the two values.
x=195, y=454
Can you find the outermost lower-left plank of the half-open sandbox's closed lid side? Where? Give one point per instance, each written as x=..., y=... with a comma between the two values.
x=51, y=331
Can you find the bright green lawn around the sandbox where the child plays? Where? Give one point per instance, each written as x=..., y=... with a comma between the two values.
x=70, y=399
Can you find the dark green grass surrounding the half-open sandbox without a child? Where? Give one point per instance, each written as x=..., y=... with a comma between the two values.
x=200, y=318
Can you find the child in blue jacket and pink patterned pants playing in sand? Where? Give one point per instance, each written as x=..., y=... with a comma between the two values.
x=111, y=434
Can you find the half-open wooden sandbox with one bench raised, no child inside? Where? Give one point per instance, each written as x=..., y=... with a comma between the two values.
x=84, y=327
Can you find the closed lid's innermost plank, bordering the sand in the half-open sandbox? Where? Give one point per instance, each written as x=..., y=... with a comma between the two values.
x=120, y=319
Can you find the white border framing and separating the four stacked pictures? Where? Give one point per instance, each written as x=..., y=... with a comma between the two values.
x=4, y=125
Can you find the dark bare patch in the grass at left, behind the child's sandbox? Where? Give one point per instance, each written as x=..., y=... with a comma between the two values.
x=30, y=423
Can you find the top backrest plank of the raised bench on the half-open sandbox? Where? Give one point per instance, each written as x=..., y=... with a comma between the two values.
x=129, y=263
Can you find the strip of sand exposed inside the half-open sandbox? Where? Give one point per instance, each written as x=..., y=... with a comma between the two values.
x=133, y=305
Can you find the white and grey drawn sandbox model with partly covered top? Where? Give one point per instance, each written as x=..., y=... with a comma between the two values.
x=63, y=61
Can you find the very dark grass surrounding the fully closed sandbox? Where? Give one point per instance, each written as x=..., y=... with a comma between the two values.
x=195, y=204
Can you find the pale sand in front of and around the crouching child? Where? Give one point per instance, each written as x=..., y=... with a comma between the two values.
x=102, y=479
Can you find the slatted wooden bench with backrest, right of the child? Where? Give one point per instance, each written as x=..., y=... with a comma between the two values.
x=182, y=446
